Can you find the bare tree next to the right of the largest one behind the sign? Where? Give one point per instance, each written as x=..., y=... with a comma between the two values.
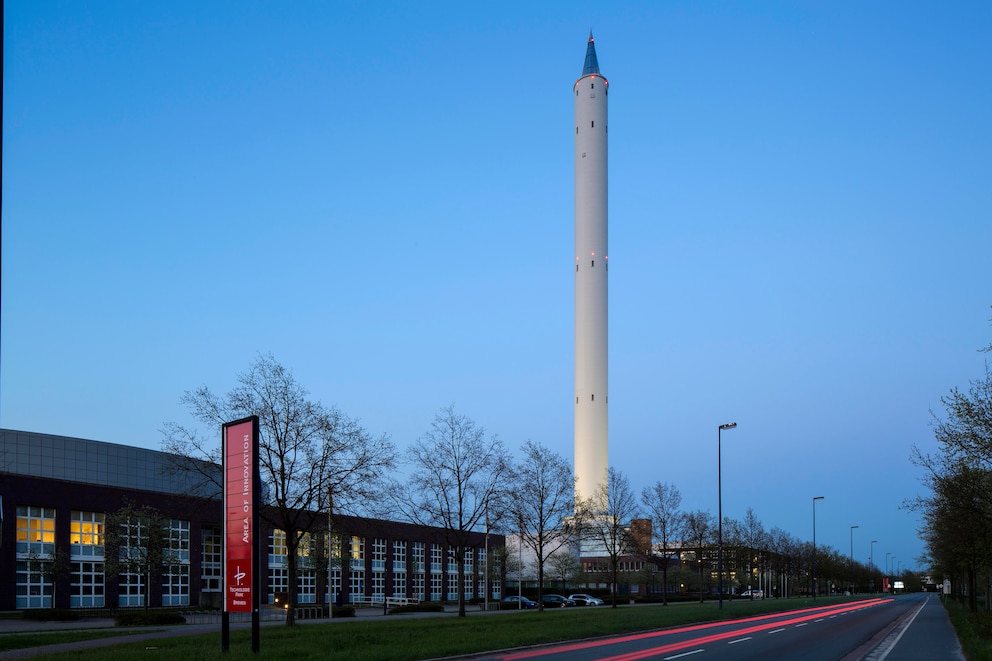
x=456, y=477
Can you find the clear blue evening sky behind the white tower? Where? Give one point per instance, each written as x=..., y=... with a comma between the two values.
x=380, y=195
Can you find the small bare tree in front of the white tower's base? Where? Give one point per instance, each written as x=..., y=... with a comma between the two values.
x=608, y=517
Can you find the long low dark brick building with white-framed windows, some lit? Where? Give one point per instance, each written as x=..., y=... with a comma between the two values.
x=57, y=493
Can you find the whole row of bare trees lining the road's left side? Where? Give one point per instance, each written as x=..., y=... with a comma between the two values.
x=316, y=461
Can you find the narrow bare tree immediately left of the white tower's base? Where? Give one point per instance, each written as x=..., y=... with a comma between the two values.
x=544, y=506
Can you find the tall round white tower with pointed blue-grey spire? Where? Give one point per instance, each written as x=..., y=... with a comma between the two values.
x=591, y=271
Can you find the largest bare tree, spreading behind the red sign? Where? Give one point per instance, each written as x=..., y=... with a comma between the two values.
x=312, y=459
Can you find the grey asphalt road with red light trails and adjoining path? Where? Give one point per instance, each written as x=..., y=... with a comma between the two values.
x=902, y=628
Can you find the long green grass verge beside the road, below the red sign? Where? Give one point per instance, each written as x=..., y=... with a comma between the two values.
x=437, y=636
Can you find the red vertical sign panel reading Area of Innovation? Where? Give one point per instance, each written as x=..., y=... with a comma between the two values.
x=240, y=456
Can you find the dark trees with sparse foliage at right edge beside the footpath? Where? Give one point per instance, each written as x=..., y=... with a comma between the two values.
x=957, y=514
